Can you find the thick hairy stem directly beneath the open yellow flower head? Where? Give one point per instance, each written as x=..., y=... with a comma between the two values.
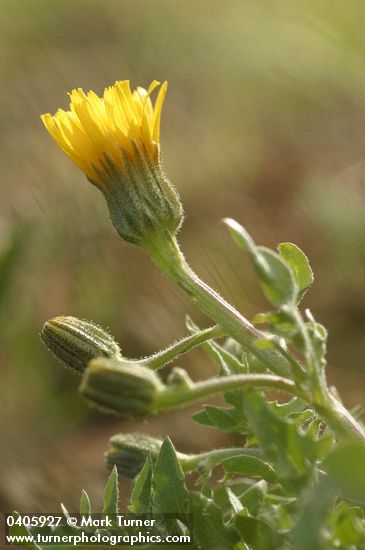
x=171, y=261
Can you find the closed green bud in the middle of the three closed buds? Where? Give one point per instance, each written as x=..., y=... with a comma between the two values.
x=128, y=390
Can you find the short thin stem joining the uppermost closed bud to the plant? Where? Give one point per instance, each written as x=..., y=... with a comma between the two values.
x=162, y=358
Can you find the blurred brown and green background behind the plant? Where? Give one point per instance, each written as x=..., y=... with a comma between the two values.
x=264, y=122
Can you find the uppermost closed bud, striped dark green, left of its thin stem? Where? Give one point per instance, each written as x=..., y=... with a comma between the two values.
x=76, y=342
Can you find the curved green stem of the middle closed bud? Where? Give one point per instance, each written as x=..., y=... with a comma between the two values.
x=174, y=396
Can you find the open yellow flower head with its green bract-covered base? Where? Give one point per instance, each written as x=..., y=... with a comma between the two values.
x=115, y=140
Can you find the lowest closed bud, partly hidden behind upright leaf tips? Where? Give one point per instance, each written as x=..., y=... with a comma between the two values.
x=129, y=452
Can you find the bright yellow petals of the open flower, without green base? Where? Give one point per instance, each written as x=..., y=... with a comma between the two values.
x=114, y=126
